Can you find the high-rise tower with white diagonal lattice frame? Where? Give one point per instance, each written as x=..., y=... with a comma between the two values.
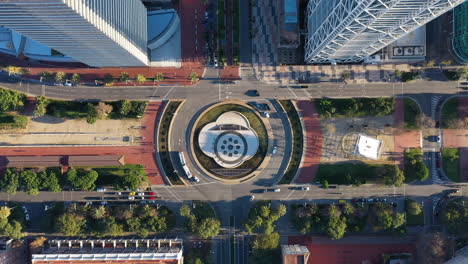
x=350, y=30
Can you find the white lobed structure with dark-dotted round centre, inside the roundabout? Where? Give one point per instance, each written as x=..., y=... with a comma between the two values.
x=229, y=140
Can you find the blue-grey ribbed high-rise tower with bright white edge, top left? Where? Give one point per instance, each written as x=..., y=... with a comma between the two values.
x=95, y=32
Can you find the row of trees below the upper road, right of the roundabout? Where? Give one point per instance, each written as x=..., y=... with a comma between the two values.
x=355, y=107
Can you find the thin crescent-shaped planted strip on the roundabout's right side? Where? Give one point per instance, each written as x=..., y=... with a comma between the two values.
x=298, y=141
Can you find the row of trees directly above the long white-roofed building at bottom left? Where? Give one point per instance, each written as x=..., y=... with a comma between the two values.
x=110, y=221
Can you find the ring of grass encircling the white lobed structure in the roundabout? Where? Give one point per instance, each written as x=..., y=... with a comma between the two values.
x=255, y=122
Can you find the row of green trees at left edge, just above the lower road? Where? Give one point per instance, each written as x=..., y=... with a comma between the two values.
x=30, y=181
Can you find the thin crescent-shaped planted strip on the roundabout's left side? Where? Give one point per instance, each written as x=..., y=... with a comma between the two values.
x=163, y=139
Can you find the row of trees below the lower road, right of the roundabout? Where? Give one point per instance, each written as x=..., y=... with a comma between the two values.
x=335, y=220
